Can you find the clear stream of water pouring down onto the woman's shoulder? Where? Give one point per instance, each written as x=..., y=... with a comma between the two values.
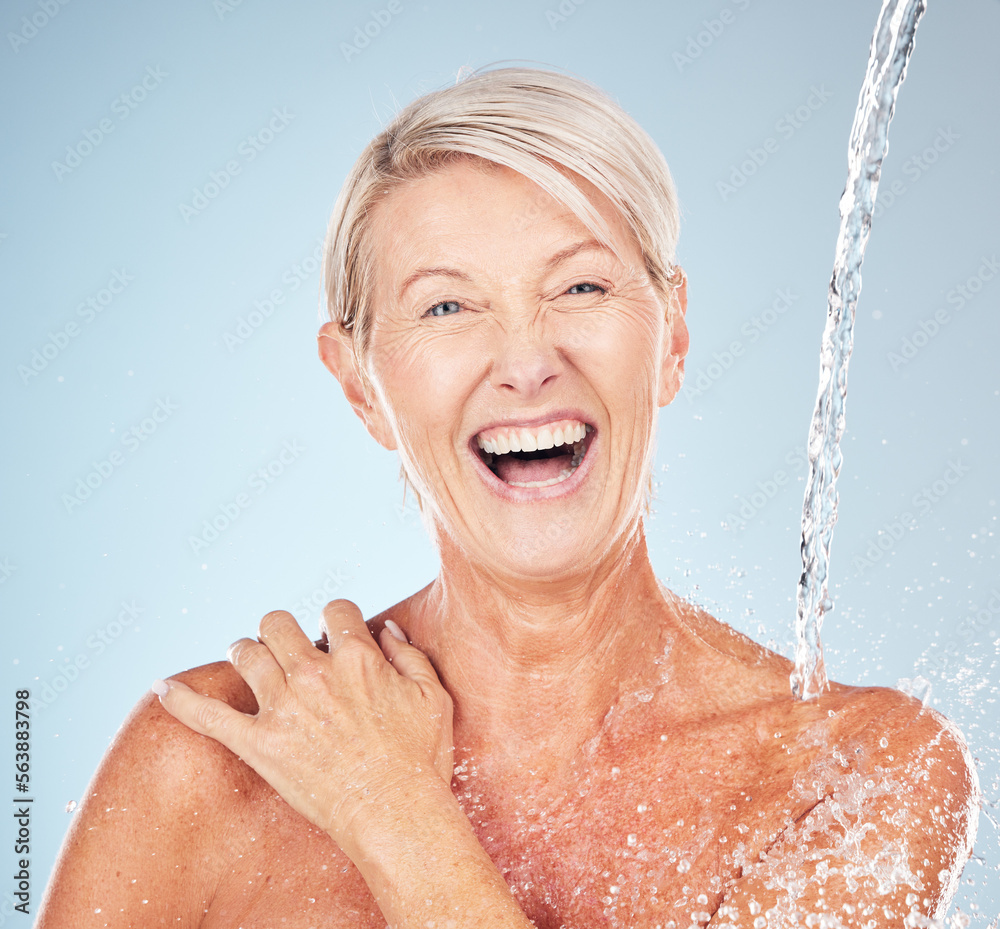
x=892, y=44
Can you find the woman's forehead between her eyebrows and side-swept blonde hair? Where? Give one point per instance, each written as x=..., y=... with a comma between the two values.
x=473, y=209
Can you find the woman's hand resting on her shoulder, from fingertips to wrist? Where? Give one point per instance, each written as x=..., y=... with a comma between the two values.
x=345, y=737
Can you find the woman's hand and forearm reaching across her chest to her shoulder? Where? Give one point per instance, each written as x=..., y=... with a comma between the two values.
x=359, y=741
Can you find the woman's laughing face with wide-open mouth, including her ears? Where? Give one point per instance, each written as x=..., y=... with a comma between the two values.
x=517, y=365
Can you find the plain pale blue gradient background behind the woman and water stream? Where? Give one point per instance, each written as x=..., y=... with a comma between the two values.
x=336, y=516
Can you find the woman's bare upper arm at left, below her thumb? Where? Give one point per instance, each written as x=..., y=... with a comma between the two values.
x=144, y=844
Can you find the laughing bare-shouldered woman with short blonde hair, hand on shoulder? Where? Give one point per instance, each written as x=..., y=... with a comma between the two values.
x=544, y=735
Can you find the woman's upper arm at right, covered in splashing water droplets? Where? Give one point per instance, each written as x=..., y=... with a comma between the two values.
x=888, y=838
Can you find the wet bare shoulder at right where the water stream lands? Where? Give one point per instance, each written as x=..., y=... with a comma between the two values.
x=885, y=813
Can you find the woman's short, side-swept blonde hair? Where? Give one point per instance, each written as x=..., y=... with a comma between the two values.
x=538, y=123
